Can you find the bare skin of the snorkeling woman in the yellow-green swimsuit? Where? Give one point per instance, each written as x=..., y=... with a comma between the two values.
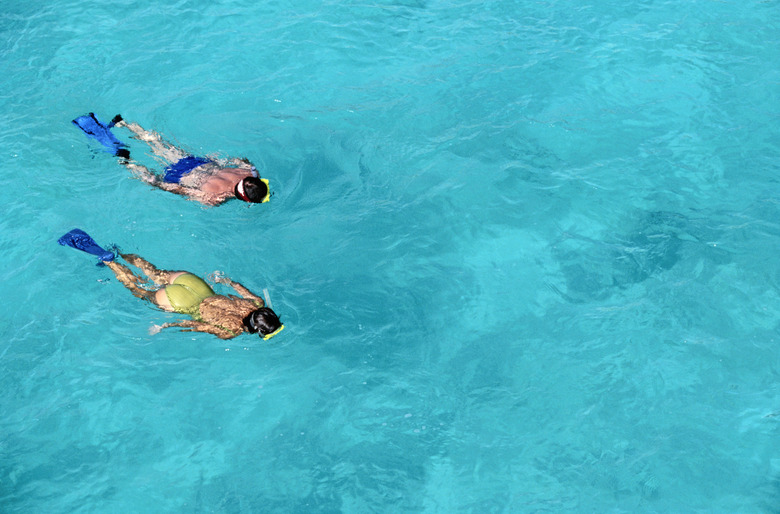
x=220, y=315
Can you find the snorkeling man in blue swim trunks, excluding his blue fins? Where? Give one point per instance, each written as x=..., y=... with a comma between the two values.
x=207, y=181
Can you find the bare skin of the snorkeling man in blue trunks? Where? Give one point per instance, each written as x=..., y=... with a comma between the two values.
x=210, y=184
